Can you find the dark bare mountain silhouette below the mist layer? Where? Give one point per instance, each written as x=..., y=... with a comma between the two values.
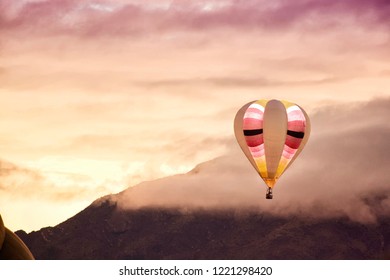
x=104, y=231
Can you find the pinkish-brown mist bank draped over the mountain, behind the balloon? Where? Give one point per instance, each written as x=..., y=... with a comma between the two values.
x=343, y=171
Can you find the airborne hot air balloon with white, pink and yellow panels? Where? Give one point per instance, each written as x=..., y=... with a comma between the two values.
x=271, y=133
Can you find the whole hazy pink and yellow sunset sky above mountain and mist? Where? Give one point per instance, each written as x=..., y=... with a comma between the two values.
x=97, y=96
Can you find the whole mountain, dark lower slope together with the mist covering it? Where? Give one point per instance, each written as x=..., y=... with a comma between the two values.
x=333, y=203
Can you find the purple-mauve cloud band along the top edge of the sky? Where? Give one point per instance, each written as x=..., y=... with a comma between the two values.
x=96, y=18
